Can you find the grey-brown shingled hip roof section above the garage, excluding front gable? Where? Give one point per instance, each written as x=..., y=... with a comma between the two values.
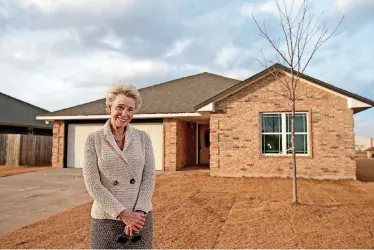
x=176, y=96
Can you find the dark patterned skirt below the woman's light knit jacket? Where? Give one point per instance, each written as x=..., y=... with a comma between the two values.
x=104, y=234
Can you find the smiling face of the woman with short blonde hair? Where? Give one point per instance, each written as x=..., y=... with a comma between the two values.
x=122, y=110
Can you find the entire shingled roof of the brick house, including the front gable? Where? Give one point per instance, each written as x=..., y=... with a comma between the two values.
x=190, y=93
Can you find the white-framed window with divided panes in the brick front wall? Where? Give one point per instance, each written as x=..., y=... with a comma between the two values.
x=276, y=133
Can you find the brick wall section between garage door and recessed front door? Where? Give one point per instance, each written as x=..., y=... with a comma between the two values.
x=180, y=144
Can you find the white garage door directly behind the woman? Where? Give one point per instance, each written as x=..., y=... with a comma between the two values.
x=77, y=135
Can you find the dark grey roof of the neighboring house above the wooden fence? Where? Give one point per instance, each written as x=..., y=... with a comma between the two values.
x=14, y=112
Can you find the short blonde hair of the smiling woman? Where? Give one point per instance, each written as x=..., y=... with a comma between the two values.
x=126, y=89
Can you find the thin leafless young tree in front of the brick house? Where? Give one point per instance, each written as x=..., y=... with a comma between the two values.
x=303, y=34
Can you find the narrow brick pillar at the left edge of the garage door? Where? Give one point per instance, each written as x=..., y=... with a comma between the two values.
x=58, y=144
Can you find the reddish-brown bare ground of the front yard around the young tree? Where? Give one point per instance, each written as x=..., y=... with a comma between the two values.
x=199, y=211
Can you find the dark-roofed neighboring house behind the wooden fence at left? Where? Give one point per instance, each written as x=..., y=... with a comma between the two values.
x=19, y=117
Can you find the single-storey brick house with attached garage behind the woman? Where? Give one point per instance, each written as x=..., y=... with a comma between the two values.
x=237, y=128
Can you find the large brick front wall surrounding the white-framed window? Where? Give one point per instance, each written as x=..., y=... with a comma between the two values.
x=236, y=141
